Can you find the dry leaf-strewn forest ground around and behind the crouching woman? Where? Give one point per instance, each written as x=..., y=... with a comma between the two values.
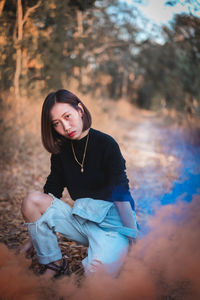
x=147, y=142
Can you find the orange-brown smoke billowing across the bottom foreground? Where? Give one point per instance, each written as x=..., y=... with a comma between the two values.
x=162, y=265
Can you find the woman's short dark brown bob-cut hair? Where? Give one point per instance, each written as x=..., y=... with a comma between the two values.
x=53, y=141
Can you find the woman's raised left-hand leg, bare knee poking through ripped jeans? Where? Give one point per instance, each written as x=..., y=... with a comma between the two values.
x=46, y=216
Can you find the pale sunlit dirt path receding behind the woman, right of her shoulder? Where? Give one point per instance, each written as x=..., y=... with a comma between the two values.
x=151, y=165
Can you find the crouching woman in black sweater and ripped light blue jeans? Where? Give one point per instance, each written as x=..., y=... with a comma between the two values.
x=90, y=165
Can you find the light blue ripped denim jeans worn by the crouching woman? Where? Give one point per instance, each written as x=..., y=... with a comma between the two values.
x=93, y=223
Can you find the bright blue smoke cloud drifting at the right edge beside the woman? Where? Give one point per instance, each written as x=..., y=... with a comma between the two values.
x=151, y=194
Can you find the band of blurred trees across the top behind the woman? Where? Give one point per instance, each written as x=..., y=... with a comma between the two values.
x=47, y=44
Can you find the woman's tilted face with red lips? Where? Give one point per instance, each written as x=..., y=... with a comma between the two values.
x=67, y=121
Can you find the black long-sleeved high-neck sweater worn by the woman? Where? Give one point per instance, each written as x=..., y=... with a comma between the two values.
x=104, y=175
